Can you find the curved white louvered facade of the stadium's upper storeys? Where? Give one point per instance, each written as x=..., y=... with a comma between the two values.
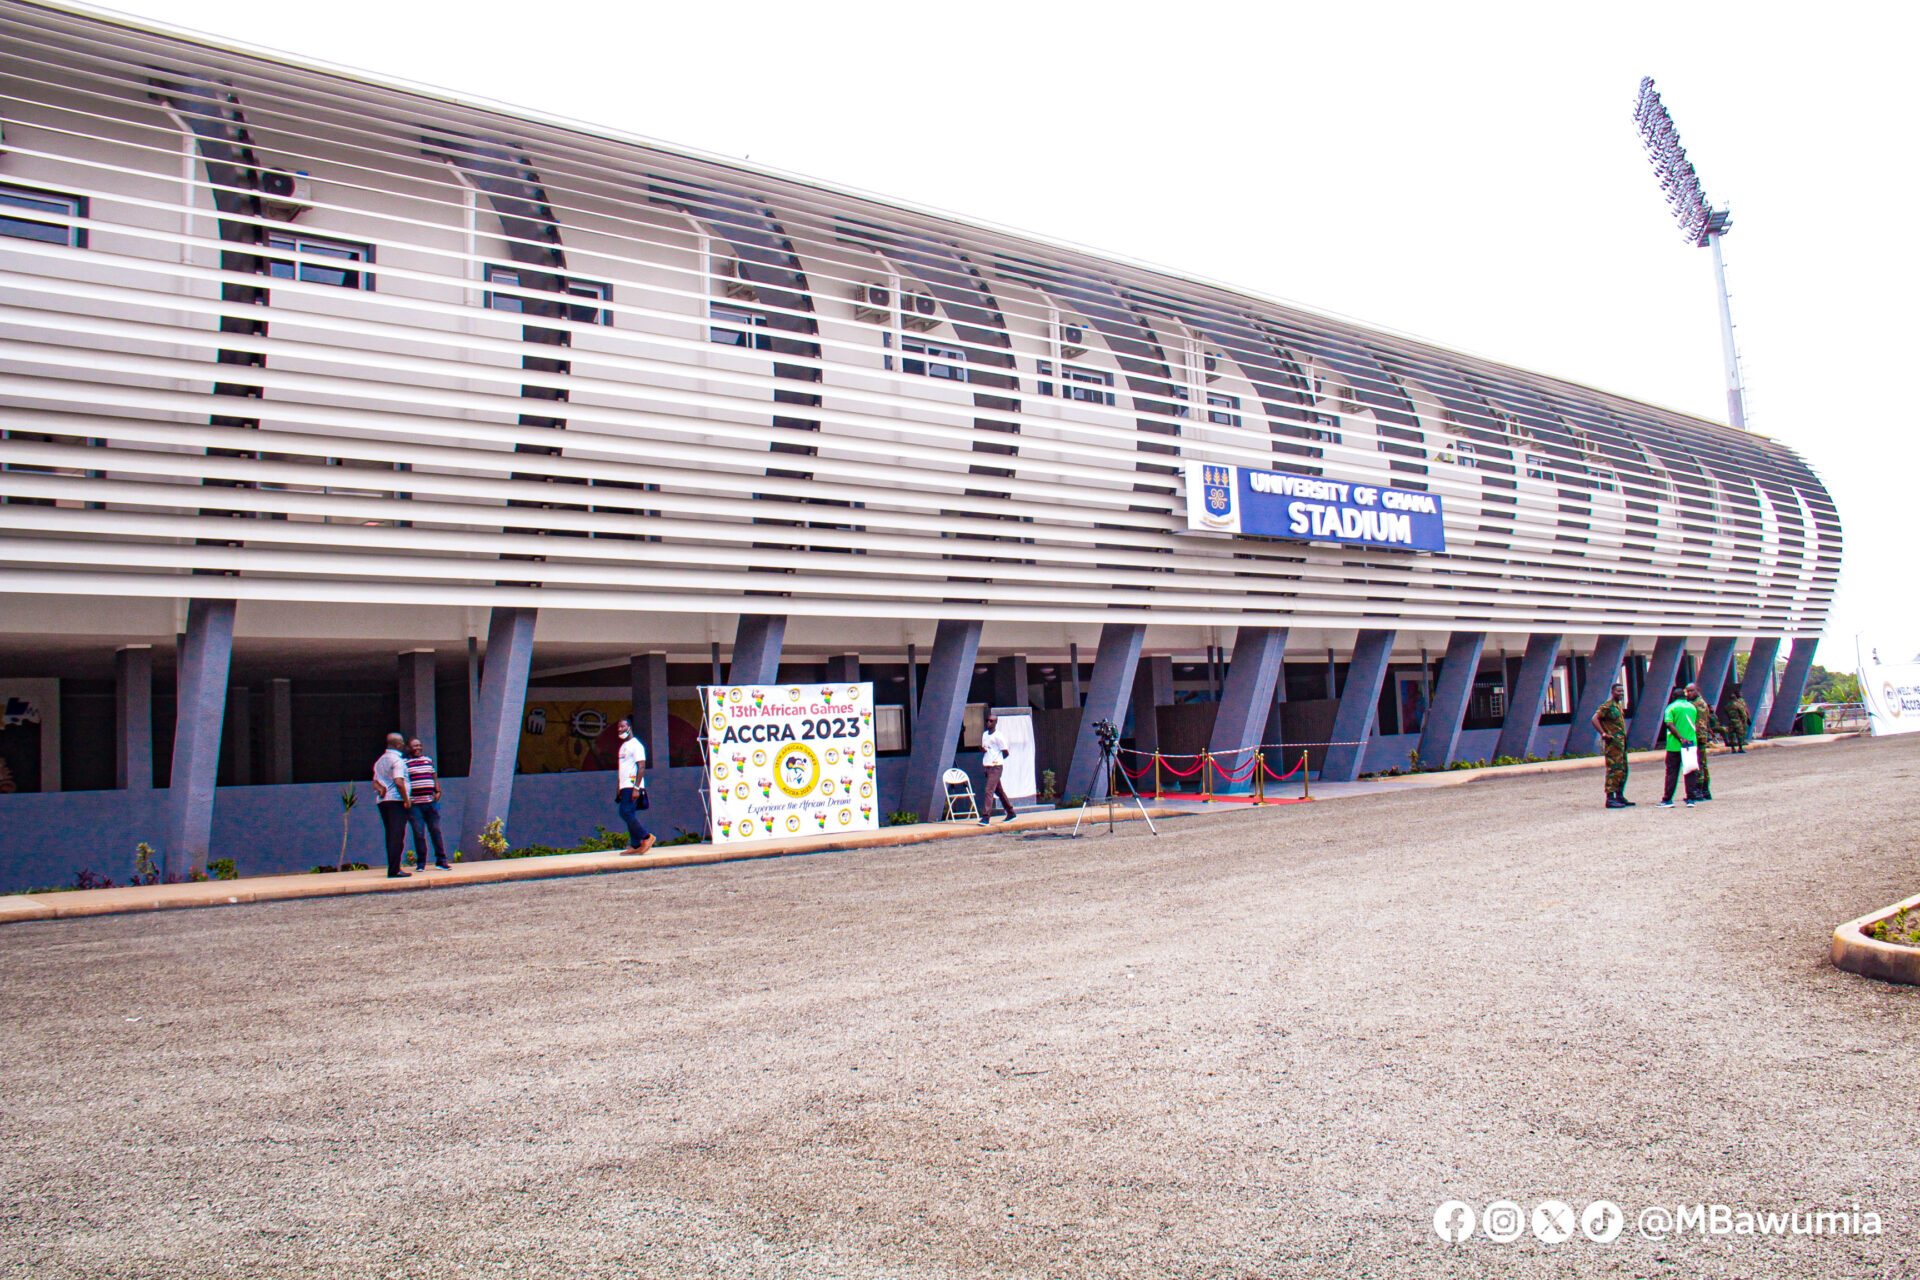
x=598, y=375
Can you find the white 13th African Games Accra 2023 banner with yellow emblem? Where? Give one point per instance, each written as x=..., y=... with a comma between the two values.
x=790, y=761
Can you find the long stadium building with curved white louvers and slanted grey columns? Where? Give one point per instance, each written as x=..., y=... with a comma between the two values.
x=337, y=406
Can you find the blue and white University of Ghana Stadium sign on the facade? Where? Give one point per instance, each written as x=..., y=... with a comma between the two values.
x=1276, y=504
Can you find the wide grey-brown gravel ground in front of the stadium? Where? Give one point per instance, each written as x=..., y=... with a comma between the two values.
x=1264, y=1045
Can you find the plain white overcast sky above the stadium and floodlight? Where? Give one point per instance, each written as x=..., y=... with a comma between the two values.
x=1468, y=174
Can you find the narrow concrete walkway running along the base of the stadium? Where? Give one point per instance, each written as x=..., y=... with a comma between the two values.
x=118, y=901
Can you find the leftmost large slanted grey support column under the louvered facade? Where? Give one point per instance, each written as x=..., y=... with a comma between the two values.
x=206, y=655
